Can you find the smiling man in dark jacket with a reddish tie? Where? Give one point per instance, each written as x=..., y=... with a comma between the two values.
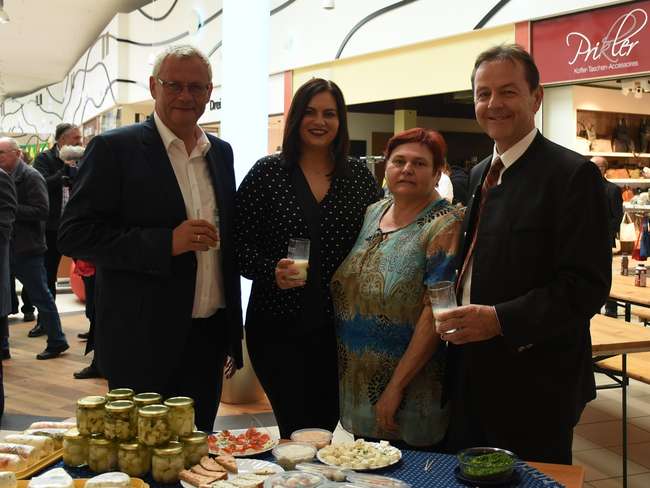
x=536, y=266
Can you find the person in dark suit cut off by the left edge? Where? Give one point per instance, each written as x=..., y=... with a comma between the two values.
x=7, y=216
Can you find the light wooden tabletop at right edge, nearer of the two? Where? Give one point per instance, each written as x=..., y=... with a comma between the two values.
x=615, y=336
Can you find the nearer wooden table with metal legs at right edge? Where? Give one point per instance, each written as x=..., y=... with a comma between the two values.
x=611, y=337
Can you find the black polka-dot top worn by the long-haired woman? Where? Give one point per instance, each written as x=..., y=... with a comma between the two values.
x=268, y=214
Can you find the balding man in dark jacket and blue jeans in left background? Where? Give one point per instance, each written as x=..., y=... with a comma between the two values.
x=28, y=243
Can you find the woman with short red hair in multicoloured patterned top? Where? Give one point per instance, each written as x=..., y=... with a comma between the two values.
x=391, y=360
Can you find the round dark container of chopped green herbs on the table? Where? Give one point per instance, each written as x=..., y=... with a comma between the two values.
x=486, y=464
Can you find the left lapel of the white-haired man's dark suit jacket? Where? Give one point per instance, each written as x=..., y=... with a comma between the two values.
x=161, y=166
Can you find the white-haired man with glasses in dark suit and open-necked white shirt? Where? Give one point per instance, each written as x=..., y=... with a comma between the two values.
x=143, y=209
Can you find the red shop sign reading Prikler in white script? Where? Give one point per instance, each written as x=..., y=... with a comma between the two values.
x=608, y=42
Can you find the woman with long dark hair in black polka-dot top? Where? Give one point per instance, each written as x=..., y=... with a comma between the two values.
x=311, y=190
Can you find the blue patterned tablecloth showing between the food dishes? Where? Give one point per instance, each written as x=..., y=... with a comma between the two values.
x=409, y=469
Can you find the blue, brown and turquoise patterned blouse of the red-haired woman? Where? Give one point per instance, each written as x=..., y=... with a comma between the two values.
x=378, y=294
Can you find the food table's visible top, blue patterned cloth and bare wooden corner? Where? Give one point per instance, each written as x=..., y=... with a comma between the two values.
x=441, y=474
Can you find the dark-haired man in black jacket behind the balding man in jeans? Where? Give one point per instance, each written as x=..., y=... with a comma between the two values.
x=59, y=175
